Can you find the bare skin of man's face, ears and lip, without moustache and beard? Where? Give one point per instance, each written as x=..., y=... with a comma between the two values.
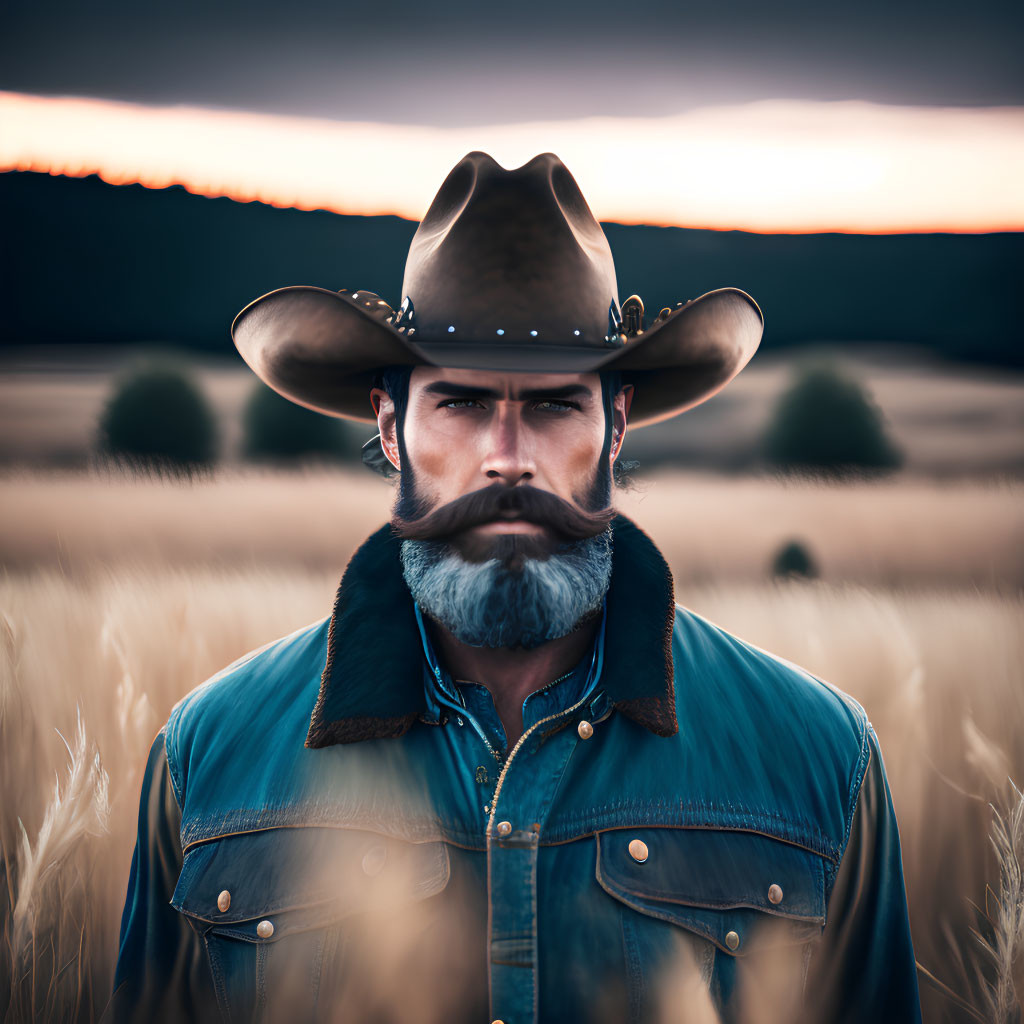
x=465, y=430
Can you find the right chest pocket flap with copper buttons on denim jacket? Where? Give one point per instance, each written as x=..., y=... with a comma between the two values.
x=741, y=890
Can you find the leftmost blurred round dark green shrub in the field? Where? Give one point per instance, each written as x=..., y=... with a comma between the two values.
x=158, y=416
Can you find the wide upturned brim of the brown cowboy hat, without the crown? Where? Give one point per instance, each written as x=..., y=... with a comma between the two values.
x=322, y=350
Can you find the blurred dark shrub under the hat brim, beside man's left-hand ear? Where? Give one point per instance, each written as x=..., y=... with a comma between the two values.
x=278, y=431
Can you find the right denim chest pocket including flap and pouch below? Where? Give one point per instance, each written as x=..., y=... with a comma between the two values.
x=714, y=904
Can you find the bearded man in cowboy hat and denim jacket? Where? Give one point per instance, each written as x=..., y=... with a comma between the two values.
x=508, y=779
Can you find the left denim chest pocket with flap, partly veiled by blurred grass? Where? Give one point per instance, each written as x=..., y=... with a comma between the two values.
x=278, y=908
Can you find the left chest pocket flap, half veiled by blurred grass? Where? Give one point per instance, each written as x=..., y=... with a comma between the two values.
x=264, y=885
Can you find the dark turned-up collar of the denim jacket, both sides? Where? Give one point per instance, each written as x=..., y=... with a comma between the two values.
x=372, y=686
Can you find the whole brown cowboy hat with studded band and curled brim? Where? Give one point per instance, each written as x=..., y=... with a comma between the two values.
x=509, y=271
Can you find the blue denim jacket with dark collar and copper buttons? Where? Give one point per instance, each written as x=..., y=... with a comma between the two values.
x=330, y=831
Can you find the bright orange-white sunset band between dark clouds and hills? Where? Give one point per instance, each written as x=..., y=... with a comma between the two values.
x=774, y=165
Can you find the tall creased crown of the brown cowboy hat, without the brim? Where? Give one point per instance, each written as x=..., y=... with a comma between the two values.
x=511, y=255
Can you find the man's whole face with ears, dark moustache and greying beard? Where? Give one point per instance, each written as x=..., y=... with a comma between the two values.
x=503, y=504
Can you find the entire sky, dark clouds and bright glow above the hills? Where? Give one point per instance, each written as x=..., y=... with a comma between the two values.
x=772, y=117
